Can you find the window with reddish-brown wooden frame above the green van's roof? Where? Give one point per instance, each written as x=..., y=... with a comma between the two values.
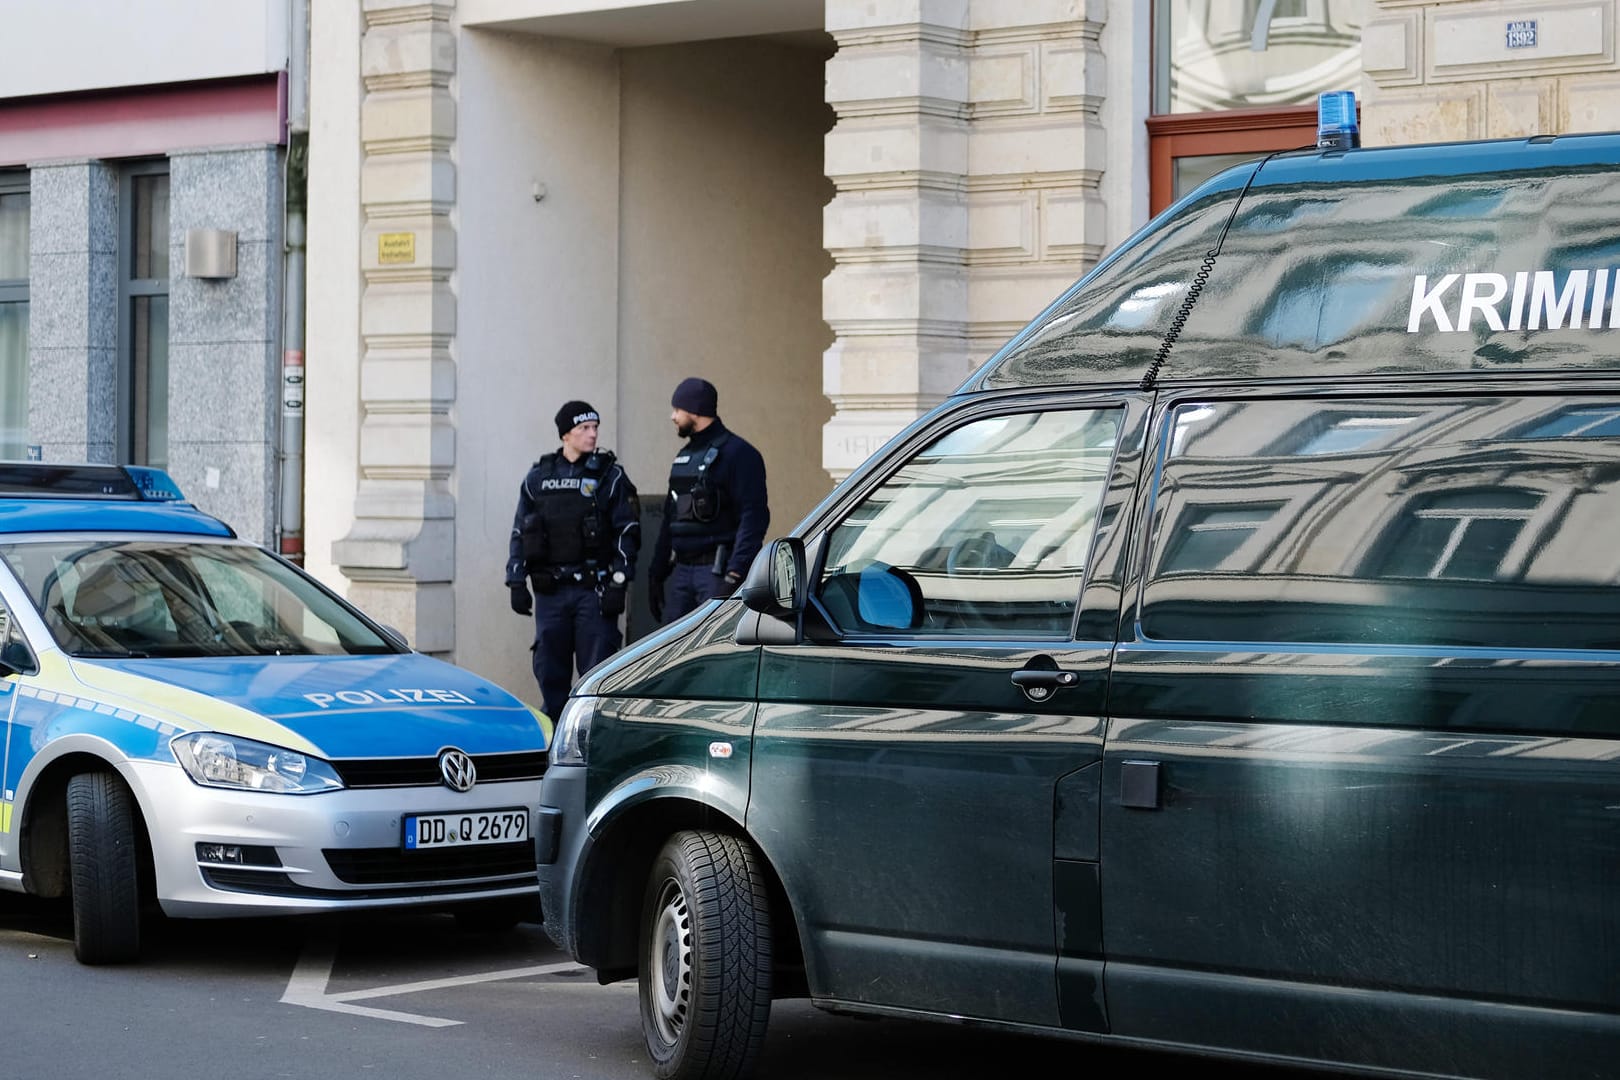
x=1237, y=82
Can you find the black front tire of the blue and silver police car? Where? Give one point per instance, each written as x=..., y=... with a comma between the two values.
x=104, y=861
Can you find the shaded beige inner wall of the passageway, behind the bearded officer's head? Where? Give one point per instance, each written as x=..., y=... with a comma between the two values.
x=723, y=190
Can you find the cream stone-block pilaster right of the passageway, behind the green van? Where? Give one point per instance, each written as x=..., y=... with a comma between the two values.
x=966, y=158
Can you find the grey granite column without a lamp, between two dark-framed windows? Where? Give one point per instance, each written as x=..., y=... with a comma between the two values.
x=74, y=312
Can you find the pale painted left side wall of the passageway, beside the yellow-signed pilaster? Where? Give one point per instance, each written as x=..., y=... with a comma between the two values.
x=537, y=291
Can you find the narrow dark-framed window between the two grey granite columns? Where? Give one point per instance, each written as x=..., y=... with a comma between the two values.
x=143, y=305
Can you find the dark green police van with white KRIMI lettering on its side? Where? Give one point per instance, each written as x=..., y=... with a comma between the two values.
x=1234, y=665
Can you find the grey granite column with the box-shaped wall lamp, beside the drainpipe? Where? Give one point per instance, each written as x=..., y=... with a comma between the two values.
x=223, y=338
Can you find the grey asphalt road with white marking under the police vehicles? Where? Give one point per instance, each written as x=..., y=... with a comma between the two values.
x=414, y=997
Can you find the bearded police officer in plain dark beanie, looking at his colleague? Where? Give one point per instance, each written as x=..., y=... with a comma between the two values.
x=717, y=511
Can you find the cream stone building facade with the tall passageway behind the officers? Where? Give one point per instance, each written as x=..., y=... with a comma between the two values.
x=833, y=210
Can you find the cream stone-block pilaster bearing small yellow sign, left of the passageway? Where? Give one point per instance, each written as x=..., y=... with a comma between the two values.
x=401, y=553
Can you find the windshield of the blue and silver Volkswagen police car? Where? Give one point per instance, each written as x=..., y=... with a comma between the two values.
x=181, y=598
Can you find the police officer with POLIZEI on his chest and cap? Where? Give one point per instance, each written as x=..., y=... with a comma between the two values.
x=574, y=540
